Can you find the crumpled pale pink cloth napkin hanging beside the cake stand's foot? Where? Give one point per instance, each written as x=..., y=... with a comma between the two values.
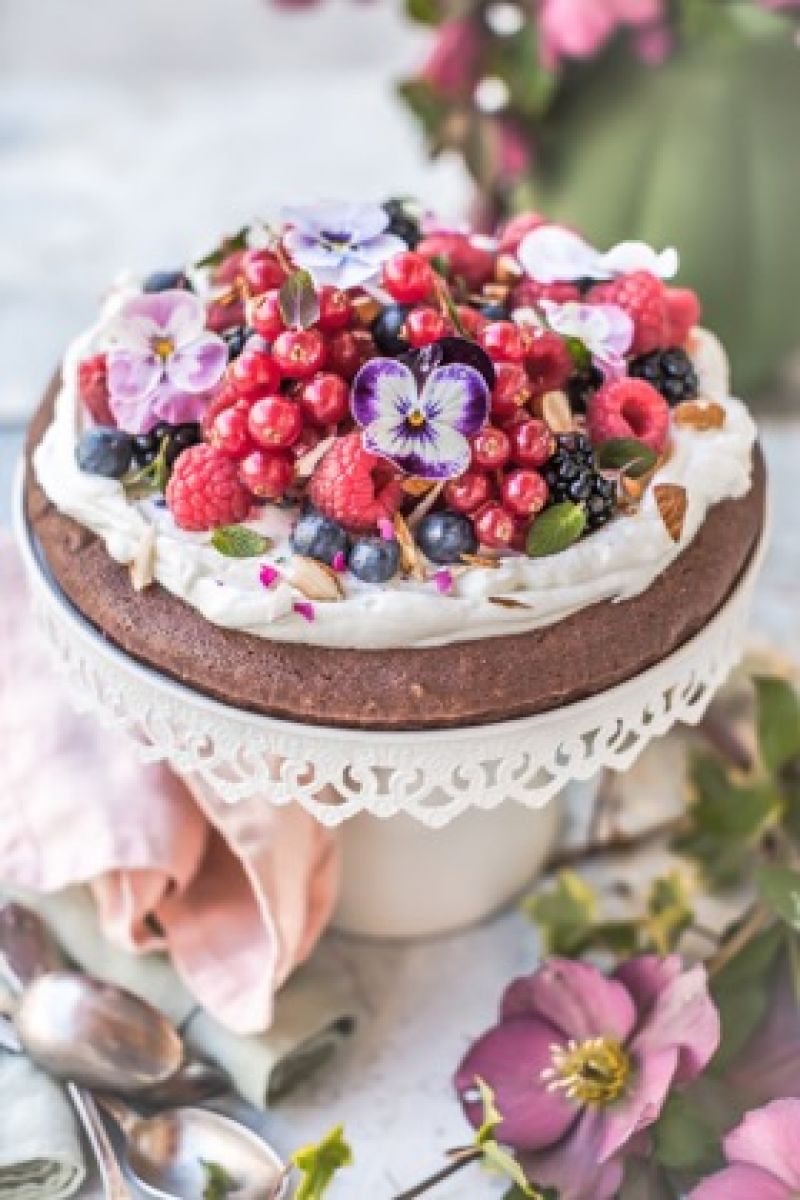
x=238, y=896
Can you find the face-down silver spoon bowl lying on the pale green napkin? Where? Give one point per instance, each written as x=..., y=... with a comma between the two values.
x=97, y=1035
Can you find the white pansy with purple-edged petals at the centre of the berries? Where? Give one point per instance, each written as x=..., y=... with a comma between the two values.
x=423, y=429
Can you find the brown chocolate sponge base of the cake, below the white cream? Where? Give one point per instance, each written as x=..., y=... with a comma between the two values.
x=465, y=683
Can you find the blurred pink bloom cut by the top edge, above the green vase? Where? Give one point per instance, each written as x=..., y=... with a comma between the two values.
x=578, y=29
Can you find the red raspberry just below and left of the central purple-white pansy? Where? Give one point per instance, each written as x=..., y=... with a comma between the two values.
x=353, y=487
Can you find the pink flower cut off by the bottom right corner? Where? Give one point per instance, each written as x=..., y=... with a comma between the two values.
x=765, y=1157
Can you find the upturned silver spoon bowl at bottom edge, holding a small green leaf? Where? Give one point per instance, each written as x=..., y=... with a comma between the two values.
x=167, y=1154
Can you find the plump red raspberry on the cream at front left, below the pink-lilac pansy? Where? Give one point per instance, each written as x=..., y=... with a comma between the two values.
x=204, y=490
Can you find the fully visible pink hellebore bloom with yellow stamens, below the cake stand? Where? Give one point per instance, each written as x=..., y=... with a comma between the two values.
x=580, y=1064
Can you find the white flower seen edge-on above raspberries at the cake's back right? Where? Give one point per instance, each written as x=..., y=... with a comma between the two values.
x=555, y=255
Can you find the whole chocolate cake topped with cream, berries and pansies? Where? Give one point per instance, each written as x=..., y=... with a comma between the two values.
x=339, y=481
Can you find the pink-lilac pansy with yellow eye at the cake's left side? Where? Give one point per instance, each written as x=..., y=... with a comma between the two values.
x=163, y=362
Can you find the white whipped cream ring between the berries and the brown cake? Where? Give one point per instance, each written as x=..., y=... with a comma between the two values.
x=616, y=563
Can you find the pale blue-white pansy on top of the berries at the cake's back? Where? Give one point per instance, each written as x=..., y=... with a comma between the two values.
x=340, y=244
